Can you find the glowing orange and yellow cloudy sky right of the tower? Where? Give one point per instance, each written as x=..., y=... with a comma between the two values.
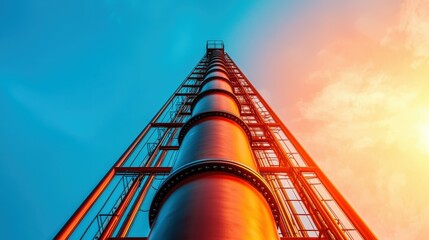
x=357, y=99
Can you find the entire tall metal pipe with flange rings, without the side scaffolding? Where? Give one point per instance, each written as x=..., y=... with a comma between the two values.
x=214, y=190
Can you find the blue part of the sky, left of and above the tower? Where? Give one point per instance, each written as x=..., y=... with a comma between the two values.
x=80, y=79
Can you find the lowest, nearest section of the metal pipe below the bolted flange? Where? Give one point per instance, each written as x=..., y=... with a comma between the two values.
x=214, y=206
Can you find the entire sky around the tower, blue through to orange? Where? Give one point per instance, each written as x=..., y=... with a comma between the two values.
x=80, y=79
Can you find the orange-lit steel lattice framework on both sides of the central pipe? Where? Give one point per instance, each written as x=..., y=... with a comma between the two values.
x=310, y=206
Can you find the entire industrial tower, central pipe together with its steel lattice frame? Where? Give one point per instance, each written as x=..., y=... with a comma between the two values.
x=215, y=163
